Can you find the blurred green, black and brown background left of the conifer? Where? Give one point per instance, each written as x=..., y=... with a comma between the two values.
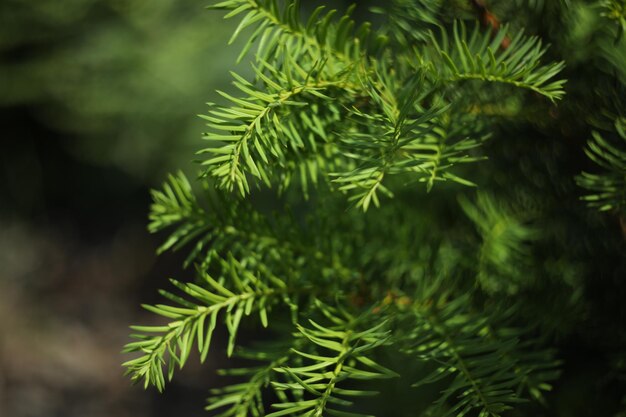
x=97, y=103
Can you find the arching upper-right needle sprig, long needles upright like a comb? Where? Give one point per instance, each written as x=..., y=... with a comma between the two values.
x=480, y=55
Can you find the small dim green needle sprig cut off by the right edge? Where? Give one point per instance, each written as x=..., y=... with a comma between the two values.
x=608, y=189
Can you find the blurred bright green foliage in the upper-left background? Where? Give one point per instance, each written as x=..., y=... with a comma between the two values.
x=124, y=79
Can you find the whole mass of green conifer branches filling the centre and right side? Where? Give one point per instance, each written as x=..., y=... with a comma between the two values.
x=327, y=211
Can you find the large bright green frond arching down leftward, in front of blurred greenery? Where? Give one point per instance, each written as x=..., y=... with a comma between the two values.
x=257, y=134
